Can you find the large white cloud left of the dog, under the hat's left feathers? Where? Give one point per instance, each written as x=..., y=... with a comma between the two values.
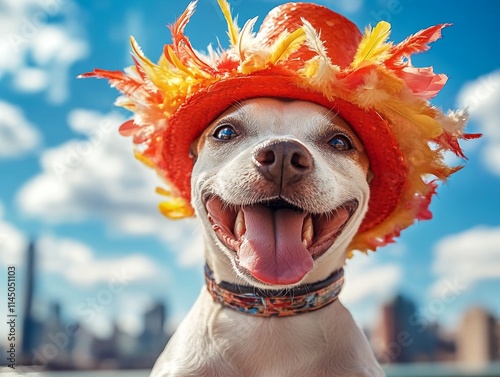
x=97, y=177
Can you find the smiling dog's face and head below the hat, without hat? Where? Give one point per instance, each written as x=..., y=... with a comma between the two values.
x=281, y=187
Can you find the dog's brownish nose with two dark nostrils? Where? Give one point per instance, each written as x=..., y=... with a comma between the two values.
x=283, y=161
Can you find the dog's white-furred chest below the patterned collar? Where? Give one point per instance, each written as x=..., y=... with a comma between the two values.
x=216, y=342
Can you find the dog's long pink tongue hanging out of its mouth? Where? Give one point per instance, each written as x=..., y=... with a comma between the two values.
x=272, y=249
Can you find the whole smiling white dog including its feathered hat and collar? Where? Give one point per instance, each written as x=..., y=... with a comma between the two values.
x=309, y=140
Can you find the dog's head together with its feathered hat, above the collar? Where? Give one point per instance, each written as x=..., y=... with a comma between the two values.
x=281, y=186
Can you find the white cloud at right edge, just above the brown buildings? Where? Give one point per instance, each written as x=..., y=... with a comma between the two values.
x=467, y=258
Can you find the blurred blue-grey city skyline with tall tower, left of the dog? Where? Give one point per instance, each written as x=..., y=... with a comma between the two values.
x=56, y=342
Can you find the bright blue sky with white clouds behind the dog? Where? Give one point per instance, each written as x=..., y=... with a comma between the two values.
x=68, y=179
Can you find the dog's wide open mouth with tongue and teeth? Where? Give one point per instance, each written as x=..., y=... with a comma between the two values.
x=275, y=241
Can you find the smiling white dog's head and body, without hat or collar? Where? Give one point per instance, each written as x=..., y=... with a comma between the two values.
x=281, y=187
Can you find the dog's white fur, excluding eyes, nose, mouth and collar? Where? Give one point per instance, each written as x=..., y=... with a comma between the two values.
x=215, y=341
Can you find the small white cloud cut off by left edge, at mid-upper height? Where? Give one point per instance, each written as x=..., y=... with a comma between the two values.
x=17, y=135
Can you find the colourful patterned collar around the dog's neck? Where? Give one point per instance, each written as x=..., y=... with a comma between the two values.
x=275, y=303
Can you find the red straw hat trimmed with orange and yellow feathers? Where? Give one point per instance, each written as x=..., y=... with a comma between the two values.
x=308, y=52
